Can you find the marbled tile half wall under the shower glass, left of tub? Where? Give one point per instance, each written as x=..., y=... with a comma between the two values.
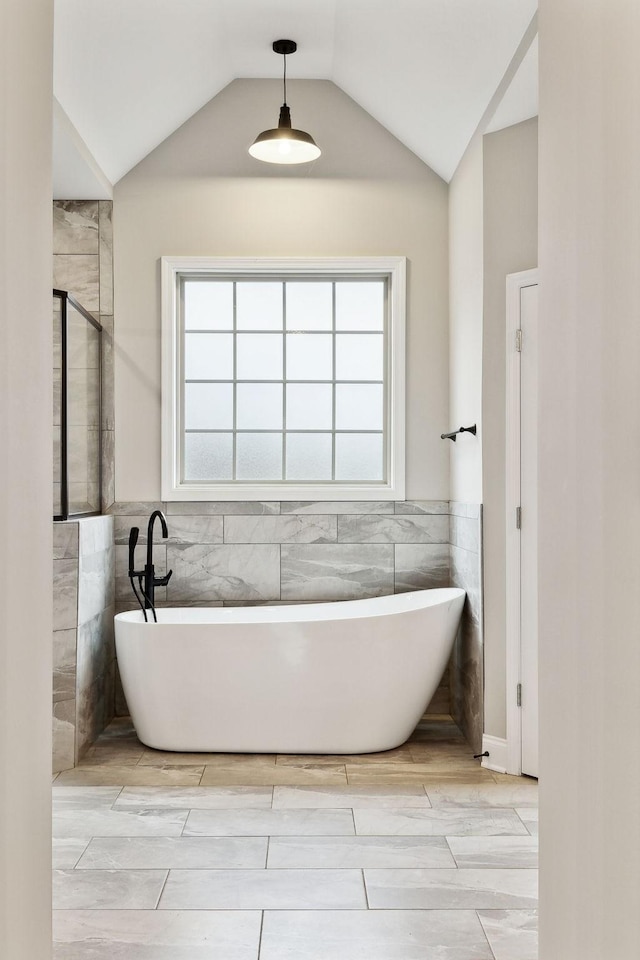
x=83, y=644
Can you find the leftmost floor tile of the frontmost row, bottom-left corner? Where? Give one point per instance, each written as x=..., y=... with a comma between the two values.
x=156, y=935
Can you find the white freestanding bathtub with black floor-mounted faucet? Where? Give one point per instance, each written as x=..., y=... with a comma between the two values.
x=348, y=677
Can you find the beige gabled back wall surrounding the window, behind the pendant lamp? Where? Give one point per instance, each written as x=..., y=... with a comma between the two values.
x=199, y=193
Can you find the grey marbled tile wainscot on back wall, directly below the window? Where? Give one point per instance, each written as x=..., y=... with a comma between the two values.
x=248, y=552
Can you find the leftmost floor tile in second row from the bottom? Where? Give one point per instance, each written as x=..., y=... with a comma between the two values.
x=107, y=889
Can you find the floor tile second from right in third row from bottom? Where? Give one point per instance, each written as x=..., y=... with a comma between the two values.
x=358, y=852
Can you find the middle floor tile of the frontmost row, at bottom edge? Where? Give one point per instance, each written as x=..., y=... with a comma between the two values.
x=373, y=935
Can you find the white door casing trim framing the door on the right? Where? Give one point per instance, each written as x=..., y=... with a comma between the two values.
x=515, y=283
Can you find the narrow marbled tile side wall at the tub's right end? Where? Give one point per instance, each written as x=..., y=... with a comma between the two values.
x=466, y=667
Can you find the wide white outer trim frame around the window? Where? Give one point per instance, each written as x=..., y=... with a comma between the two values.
x=173, y=269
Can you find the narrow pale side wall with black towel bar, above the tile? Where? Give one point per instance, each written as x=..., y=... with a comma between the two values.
x=465, y=334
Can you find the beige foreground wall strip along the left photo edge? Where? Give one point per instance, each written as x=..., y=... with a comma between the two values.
x=25, y=479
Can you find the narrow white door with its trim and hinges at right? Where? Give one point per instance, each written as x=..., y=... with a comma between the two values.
x=522, y=523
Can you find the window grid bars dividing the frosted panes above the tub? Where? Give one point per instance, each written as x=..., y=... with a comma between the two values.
x=283, y=332
